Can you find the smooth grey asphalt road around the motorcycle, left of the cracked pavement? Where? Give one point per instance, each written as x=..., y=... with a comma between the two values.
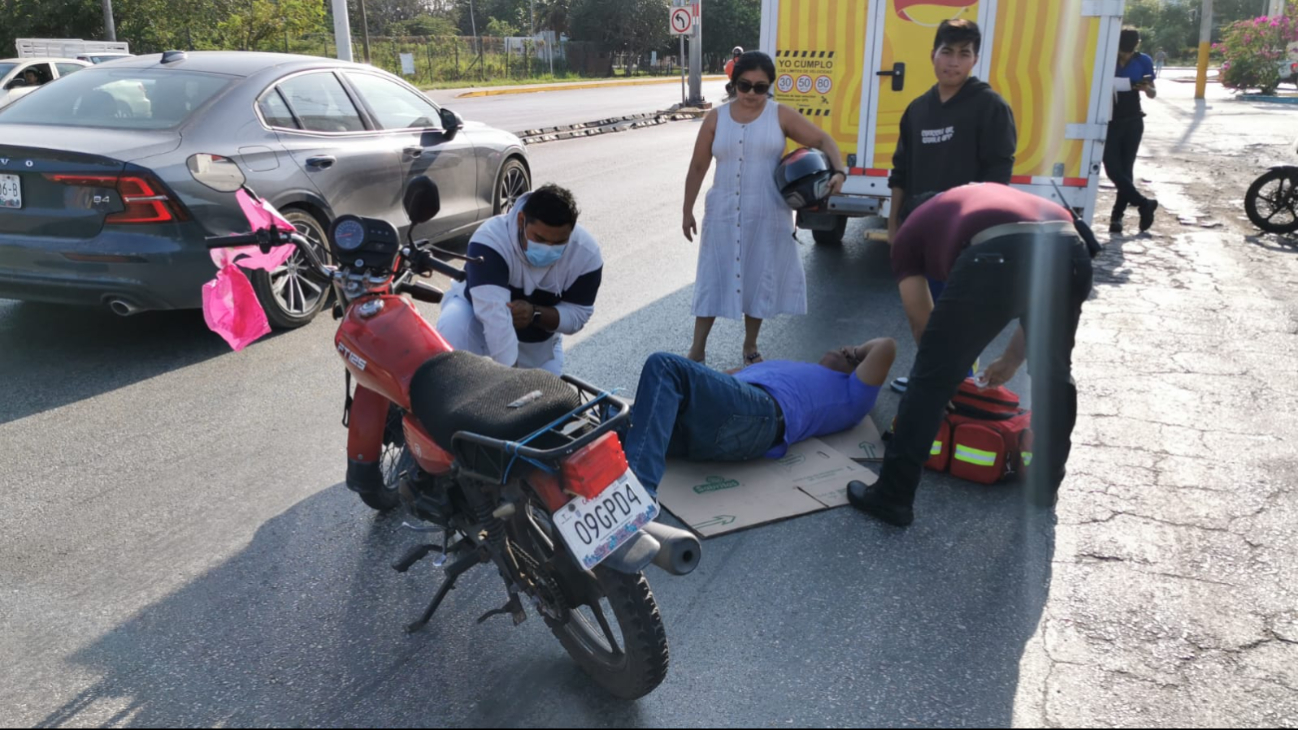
x=177, y=547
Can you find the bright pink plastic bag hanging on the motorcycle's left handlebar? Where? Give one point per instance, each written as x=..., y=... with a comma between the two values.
x=230, y=306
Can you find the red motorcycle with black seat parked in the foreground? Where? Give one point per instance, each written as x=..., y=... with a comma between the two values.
x=515, y=468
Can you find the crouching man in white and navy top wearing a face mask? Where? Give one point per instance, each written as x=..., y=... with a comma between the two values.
x=535, y=281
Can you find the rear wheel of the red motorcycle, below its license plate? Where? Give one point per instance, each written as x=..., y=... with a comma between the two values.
x=618, y=640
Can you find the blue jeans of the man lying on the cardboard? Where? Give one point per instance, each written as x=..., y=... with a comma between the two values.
x=687, y=410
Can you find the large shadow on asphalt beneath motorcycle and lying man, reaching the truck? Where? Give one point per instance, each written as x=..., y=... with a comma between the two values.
x=824, y=620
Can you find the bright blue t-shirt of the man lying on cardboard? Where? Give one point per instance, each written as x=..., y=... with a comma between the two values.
x=816, y=399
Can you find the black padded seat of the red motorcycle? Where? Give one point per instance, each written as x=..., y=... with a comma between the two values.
x=460, y=392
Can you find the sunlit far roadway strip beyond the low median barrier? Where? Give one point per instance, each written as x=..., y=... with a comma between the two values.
x=519, y=112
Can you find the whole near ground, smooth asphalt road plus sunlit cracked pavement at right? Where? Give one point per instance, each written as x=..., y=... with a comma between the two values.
x=177, y=547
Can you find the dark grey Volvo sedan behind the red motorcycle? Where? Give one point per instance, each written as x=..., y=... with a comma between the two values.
x=99, y=207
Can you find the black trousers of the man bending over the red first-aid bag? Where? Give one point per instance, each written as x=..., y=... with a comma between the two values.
x=1039, y=280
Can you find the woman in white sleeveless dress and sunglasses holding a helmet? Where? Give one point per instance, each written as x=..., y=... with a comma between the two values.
x=748, y=259
